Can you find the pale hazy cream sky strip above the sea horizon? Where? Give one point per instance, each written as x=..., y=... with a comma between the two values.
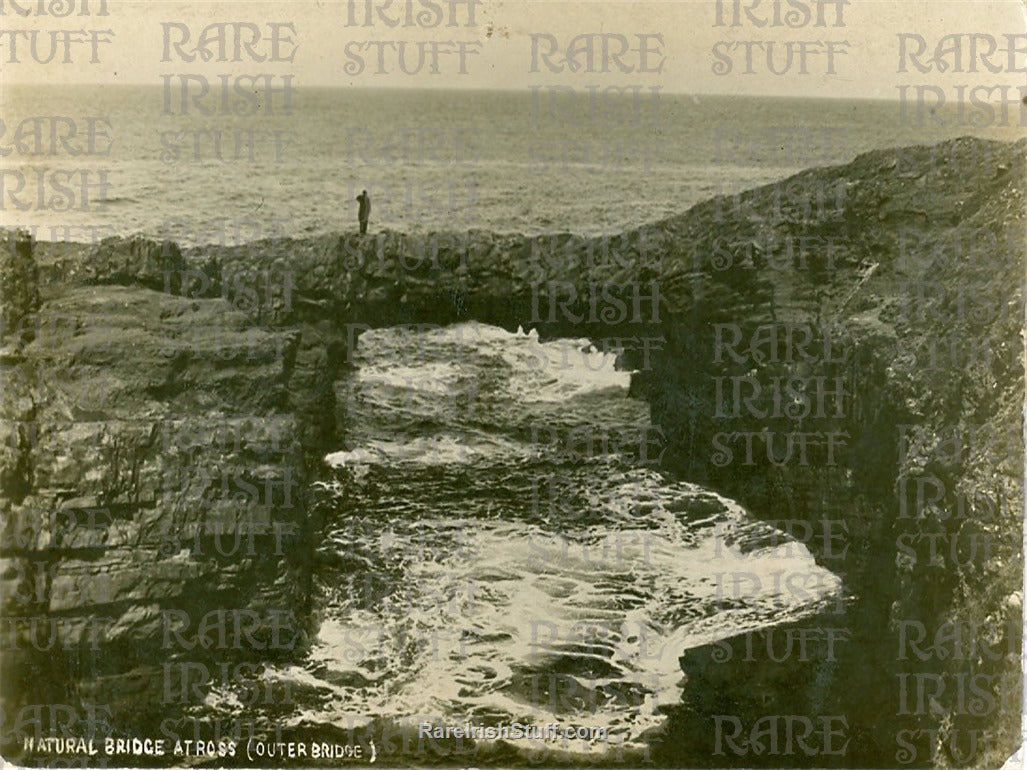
x=498, y=50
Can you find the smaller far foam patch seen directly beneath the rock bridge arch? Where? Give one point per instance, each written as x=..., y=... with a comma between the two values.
x=460, y=378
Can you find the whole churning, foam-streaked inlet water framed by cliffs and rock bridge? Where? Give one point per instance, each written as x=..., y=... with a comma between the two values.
x=503, y=548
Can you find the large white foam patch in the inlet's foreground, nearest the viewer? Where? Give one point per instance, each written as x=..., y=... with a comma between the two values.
x=606, y=609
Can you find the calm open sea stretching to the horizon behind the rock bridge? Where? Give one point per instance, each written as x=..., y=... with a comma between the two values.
x=502, y=161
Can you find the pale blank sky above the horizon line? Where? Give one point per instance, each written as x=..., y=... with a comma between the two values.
x=675, y=46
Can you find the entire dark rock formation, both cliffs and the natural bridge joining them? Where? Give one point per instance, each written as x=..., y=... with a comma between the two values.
x=841, y=352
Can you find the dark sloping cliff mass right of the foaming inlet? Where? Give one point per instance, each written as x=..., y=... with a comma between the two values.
x=870, y=401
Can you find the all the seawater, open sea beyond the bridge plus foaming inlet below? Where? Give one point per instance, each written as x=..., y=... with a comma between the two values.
x=473, y=569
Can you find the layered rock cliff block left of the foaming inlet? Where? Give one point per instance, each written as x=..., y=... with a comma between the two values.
x=155, y=484
